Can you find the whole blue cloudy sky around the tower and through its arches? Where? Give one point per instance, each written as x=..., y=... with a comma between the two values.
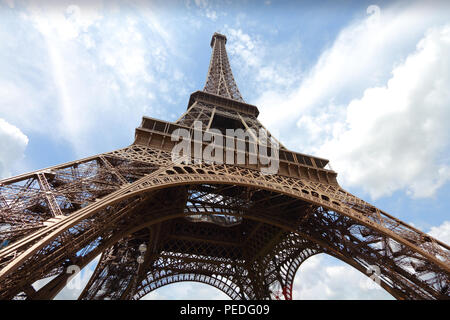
x=361, y=83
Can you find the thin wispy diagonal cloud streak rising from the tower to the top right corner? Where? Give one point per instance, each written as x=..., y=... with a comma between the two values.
x=363, y=54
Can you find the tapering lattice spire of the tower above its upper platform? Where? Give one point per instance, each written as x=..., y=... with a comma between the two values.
x=220, y=80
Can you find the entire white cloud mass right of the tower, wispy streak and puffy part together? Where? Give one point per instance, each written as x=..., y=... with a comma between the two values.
x=374, y=104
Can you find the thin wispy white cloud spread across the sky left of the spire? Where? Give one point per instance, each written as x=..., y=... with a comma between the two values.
x=89, y=65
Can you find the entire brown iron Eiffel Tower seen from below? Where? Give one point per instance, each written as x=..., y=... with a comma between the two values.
x=156, y=221
